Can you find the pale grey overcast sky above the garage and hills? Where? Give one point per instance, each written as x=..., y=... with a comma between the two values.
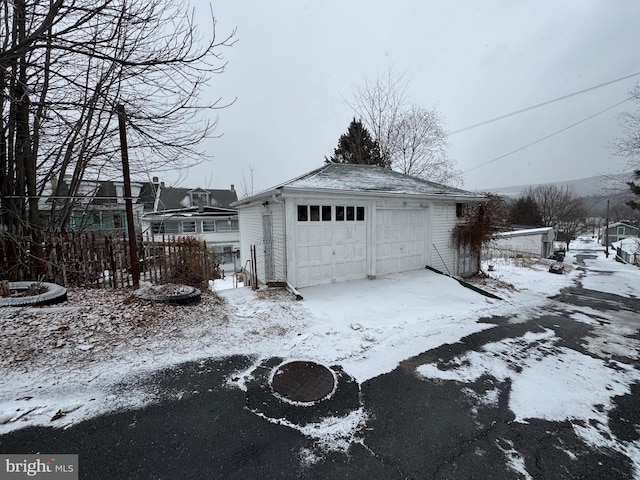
x=295, y=65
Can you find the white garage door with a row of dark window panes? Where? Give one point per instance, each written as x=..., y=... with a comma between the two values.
x=331, y=244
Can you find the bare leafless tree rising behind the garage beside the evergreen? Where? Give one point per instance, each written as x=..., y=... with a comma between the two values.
x=412, y=140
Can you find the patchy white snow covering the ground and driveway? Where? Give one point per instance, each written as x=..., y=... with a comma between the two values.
x=61, y=364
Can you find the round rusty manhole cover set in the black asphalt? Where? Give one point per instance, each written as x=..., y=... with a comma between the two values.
x=303, y=381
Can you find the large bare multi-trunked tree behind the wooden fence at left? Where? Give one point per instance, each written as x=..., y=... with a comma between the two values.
x=64, y=66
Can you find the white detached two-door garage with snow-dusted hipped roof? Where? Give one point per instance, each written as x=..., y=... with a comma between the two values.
x=345, y=221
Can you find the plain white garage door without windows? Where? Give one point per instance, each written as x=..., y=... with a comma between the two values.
x=400, y=240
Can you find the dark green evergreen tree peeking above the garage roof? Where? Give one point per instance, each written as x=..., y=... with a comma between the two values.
x=357, y=146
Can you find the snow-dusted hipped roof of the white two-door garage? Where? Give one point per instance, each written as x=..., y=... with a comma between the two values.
x=354, y=178
